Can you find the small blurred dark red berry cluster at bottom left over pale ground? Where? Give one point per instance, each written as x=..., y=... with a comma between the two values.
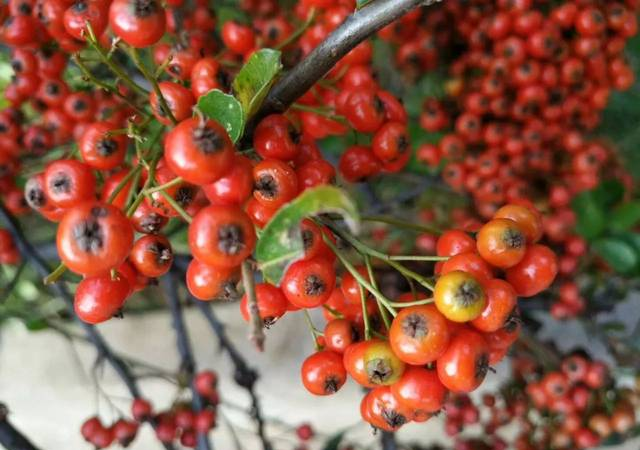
x=180, y=423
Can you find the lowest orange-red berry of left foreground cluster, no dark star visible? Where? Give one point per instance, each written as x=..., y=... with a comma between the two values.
x=97, y=299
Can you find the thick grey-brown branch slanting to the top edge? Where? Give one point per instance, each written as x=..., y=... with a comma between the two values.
x=355, y=29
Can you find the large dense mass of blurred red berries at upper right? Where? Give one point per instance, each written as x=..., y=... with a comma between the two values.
x=528, y=85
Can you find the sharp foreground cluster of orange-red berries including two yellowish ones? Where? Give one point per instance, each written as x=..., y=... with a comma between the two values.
x=429, y=349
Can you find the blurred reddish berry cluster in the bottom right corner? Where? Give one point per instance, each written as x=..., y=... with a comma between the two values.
x=575, y=406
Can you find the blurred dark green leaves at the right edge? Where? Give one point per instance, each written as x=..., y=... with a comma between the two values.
x=608, y=222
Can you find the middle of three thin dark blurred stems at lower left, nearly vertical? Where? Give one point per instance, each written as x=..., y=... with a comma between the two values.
x=187, y=361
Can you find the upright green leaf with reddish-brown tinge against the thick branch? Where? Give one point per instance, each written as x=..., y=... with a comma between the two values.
x=254, y=80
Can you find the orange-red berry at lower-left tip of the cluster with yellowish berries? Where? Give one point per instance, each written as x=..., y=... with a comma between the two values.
x=323, y=373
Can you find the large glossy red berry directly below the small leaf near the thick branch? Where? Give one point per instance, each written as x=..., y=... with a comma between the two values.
x=199, y=151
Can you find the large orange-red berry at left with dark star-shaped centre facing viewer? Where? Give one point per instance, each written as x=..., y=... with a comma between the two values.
x=93, y=238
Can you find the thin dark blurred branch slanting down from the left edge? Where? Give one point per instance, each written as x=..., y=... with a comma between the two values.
x=30, y=254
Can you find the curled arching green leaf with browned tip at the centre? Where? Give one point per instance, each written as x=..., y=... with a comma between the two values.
x=280, y=243
